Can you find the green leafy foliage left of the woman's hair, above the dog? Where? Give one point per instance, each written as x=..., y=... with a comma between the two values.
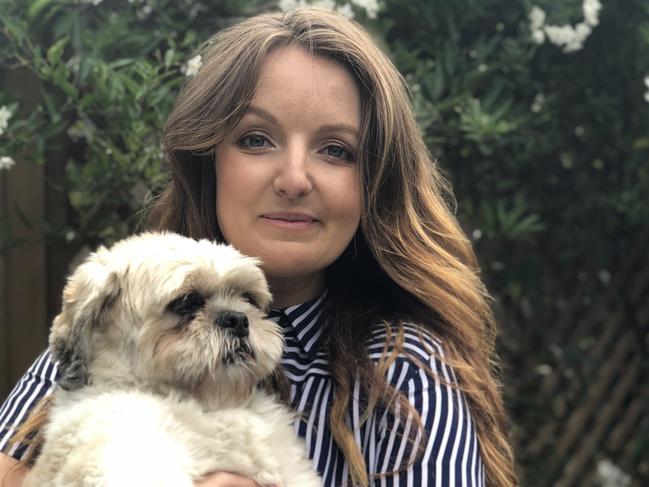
x=107, y=76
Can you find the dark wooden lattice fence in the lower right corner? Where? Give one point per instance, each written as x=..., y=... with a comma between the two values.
x=600, y=411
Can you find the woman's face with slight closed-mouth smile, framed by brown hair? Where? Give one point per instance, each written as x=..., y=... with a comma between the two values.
x=287, y=182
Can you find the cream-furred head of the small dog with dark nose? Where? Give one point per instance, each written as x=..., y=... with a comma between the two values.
x=170, y=313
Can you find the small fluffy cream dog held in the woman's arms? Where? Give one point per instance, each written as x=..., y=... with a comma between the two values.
x=162, y=343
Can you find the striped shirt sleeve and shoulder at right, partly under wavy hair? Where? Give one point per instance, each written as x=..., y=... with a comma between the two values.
x=449, y=451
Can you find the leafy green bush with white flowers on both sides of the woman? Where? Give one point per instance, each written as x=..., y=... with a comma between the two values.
x=543, y=130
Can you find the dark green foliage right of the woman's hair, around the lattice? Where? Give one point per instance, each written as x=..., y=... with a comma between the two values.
x=548, y=155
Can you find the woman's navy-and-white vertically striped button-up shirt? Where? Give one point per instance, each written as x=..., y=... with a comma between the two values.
x=450, y=455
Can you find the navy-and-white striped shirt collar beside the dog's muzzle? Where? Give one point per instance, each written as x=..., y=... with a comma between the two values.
x=302, y=321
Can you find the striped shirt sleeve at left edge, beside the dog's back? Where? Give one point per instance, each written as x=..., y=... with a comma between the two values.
x=38, y=382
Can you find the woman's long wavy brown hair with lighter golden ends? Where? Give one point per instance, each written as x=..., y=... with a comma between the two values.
x=409, y=260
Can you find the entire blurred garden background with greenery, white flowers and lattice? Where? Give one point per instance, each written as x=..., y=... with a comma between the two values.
x=538, y=111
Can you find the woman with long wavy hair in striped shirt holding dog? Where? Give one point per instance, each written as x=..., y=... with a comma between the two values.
x=296, y=143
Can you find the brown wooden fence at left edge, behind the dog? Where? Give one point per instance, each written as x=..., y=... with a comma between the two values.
x=32, y=270
